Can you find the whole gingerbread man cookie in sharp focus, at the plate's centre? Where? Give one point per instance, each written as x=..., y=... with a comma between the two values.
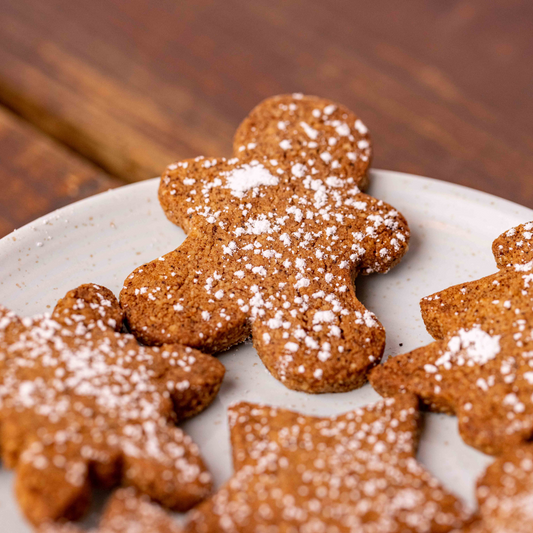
x=276, y=236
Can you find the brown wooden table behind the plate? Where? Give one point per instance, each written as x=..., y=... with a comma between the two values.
x=97, y=93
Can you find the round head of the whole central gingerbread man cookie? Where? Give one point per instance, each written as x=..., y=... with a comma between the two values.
x=297, y=128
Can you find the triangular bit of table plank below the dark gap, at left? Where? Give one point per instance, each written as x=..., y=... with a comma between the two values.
x=37, y=175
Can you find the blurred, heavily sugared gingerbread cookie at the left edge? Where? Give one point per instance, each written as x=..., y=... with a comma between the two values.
x=82, y=403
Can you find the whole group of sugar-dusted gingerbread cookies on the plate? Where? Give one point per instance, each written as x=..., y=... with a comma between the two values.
x=91, y=395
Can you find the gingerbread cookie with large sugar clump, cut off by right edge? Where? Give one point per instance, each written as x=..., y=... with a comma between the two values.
x=481, y=366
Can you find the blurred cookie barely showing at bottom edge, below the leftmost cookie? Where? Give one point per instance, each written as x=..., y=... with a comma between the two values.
x=127, y=512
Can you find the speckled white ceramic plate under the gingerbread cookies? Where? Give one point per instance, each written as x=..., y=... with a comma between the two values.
x=102, y=239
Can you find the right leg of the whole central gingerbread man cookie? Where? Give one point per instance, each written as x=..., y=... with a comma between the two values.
x=327, y=345
